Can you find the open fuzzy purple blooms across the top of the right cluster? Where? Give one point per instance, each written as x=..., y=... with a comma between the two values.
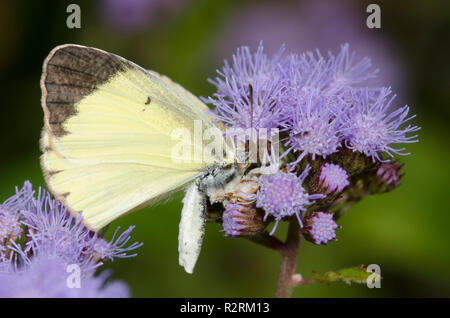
x=320, y=102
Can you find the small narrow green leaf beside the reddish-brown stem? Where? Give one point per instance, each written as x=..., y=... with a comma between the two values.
x=357, y=274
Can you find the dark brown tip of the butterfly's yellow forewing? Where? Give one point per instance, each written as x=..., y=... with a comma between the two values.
x=71, y=72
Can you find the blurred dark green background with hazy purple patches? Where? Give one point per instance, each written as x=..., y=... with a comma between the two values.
x=406, y=232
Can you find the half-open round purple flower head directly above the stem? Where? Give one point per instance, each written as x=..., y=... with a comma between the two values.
x=281, y=195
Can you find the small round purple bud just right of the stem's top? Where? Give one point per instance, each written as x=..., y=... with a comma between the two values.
x=320, y=228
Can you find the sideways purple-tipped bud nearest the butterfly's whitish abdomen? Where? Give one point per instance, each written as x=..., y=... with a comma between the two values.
x=240, y=219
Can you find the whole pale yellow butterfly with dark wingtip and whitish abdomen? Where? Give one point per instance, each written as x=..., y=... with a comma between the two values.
x=108, y=141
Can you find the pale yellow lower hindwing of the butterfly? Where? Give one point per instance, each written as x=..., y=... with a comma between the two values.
x=105, y=191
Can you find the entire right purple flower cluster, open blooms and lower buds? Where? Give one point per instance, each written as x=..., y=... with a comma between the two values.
x=330, y=124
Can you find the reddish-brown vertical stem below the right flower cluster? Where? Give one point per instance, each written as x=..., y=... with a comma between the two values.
x=289, y=261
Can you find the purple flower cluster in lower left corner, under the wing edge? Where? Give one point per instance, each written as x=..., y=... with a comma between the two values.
x=38, y=235
